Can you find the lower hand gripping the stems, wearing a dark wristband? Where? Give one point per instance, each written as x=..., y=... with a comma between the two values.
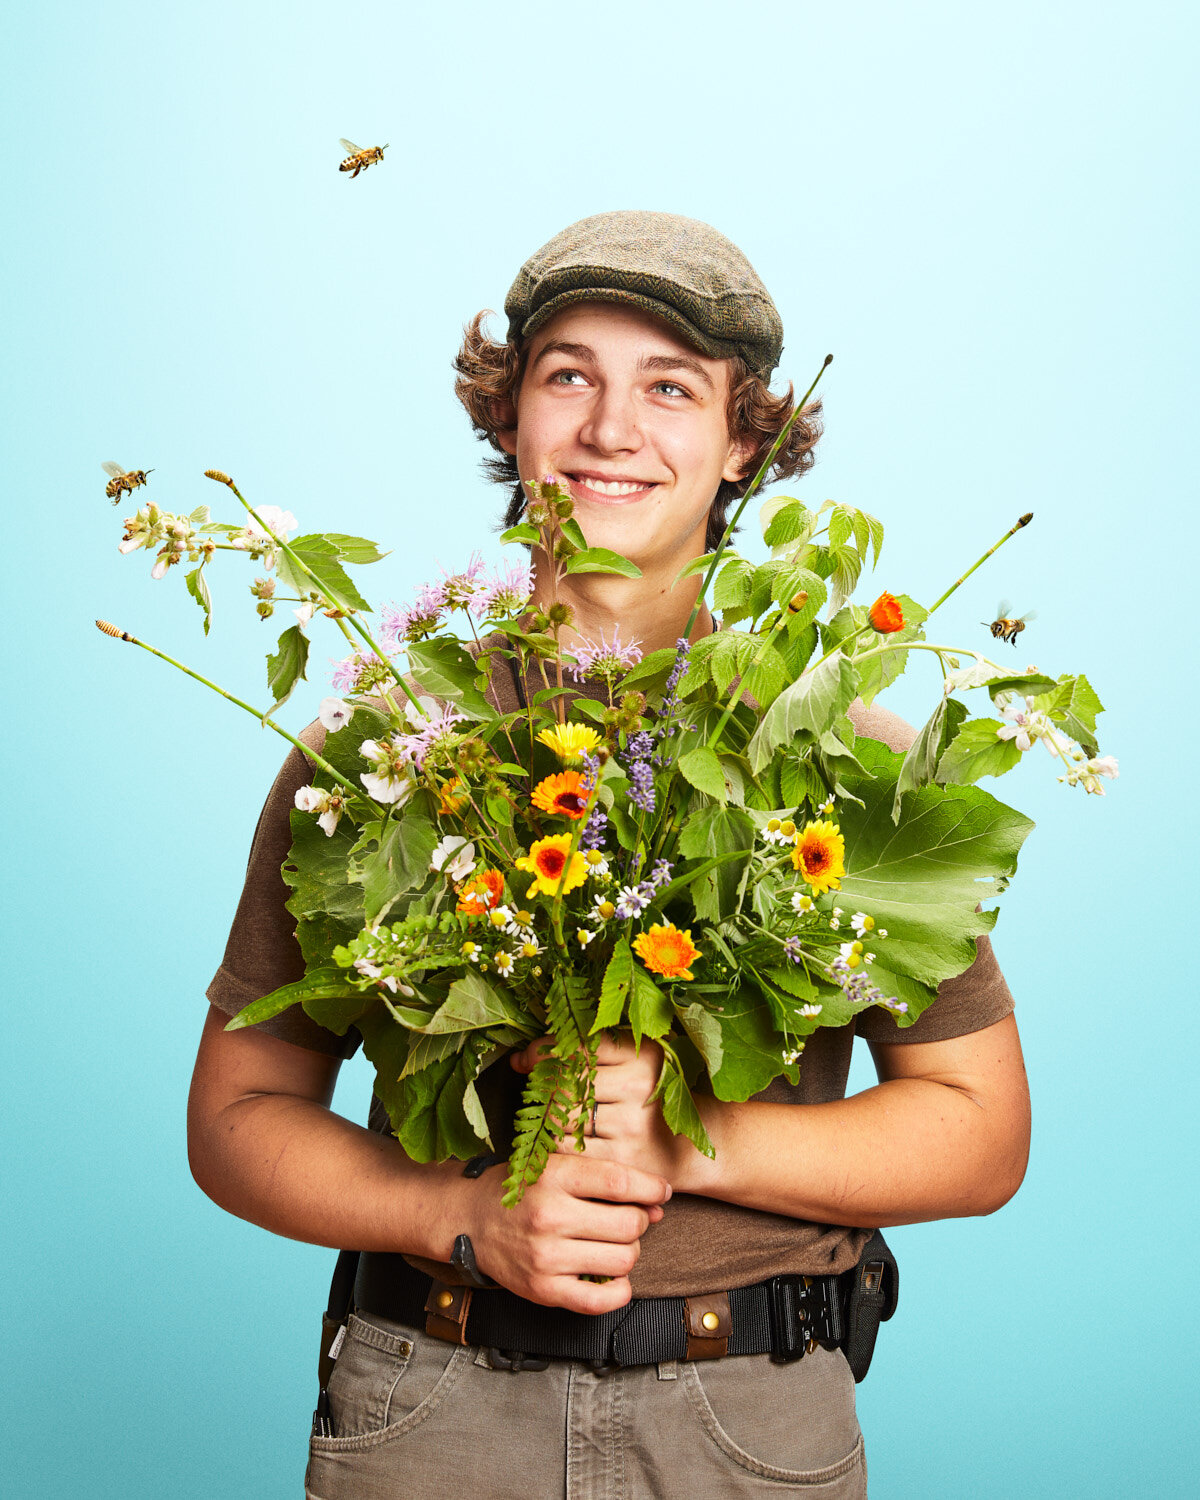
x=581, y=1219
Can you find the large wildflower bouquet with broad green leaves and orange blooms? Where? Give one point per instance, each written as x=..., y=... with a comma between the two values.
x=692, y=845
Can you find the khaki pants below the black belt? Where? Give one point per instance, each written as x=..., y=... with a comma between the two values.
x=418, y=1418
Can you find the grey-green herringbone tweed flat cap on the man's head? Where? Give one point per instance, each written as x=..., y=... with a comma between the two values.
x=682, y=271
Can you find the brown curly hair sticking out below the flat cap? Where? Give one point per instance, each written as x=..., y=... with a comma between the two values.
x=488, y=377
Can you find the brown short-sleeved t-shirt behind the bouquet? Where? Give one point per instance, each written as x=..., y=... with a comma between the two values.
x=701, y=1244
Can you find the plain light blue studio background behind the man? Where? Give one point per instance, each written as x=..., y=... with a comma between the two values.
x=989, y=217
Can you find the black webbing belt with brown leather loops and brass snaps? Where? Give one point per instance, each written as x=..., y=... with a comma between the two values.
x=787, y=1318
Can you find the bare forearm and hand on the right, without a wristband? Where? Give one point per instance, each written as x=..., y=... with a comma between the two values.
x=944, y=1135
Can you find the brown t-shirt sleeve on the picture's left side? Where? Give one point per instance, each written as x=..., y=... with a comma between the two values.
x=263, y=952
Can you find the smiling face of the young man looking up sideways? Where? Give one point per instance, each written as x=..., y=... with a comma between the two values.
x=634, y=421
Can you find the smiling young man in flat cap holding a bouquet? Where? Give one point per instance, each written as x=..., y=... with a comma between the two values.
x=635, y=373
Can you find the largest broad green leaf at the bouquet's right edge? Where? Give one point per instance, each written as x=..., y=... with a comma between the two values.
x=922, y=881
